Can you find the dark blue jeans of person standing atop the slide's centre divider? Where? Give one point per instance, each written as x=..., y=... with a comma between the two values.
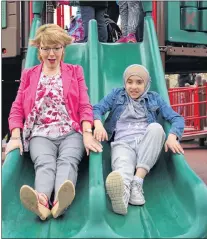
x=88, y=13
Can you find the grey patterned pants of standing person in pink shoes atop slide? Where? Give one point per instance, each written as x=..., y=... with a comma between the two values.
x=129, y=12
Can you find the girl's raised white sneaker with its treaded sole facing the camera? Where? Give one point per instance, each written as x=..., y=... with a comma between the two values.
x=118, y=192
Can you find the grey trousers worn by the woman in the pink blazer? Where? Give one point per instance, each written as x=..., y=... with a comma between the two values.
x=56, y=161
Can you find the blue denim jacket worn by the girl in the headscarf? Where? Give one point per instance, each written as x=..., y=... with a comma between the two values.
x=116, y=102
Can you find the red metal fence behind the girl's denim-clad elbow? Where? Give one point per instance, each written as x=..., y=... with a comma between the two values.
x=191, y=103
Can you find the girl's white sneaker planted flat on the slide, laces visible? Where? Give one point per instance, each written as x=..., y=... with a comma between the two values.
x=136, y=196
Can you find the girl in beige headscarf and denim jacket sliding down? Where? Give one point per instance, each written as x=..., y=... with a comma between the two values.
x=136, y=137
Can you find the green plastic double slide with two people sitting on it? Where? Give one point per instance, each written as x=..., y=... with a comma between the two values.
x=176, y=198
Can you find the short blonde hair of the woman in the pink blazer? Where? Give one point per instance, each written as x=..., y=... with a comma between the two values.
x=50, y=34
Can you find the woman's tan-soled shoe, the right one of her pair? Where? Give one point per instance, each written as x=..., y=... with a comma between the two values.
x=65, y=196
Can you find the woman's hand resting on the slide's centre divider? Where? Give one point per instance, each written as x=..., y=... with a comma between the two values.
x=91, y=144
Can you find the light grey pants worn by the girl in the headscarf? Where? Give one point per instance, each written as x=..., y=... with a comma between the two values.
x=128, y=156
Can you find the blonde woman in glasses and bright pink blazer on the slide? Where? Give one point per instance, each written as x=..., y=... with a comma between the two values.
x=52, y=101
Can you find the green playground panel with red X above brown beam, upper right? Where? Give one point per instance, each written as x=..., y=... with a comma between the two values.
x=181, y=31
